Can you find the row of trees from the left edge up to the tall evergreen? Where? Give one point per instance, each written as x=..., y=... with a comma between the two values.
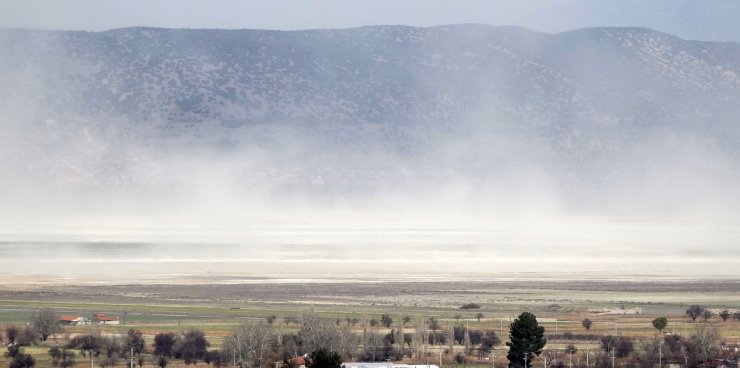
x=254, y=344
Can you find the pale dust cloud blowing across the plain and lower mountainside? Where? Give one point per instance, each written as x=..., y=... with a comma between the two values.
x=102, y=196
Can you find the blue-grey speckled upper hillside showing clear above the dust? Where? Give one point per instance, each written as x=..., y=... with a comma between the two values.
x=373, y=74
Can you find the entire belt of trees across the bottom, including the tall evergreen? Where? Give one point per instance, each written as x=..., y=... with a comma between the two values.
x=261, y=344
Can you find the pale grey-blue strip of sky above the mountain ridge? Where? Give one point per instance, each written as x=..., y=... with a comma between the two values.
x=711, y=20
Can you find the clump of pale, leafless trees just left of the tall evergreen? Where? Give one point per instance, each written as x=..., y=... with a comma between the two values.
x=258, y=344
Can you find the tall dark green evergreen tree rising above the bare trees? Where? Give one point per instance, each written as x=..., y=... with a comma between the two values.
x=526, y=339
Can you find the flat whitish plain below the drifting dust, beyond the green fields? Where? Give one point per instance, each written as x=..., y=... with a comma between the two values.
x=578, y=247
